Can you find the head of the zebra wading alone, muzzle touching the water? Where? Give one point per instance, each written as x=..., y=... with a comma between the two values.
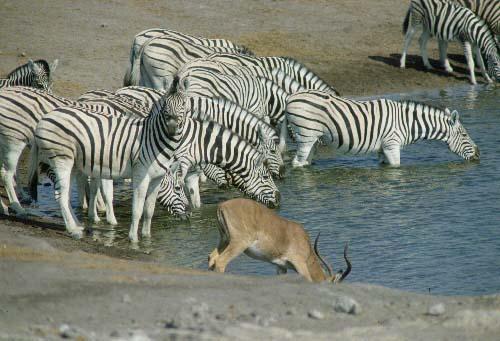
x=459, y=140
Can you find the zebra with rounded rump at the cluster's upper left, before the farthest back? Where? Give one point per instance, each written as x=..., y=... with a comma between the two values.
x=161, y=57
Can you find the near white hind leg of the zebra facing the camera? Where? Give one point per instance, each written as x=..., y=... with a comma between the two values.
x=62, y=170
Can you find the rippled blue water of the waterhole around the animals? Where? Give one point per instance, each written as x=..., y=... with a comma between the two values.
x=432, y=223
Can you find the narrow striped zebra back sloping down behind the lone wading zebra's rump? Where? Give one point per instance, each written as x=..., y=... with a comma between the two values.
x=263, y=66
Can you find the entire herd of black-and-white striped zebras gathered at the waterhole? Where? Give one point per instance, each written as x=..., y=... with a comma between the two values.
x=193, y=108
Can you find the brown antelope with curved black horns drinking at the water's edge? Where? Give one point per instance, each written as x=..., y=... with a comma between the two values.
x=250, y=227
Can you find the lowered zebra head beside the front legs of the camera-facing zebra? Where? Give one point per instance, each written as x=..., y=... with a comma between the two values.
x=173, y=197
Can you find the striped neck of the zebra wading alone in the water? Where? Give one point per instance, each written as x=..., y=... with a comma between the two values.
x=423, y=122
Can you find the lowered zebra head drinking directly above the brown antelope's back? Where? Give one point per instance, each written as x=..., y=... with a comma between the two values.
x=258, y=184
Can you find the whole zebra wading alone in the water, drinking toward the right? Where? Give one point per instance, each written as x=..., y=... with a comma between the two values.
x=382, y=126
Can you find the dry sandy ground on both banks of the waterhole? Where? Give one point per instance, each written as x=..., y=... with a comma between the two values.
x=52, y=286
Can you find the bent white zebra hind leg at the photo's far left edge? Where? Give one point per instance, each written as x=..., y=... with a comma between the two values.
x=7, y=172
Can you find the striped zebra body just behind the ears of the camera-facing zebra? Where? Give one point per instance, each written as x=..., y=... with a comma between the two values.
x=259, y=95
